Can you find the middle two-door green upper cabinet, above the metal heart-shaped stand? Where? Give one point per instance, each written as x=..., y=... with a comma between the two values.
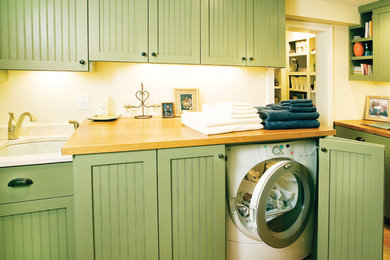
x=160, y=31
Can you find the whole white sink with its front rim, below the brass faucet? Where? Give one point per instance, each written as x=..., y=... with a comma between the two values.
x=27, y=151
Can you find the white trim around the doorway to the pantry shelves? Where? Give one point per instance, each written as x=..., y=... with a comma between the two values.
x=324, y=66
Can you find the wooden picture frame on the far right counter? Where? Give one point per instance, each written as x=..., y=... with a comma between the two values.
x=377, y=108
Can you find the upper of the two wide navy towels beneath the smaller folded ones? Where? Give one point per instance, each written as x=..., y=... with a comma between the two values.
x=283, y=115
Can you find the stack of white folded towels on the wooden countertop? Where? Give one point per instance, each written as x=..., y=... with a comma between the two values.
x=223, y=118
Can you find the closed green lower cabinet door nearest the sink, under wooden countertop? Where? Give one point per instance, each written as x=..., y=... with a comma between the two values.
x=116, y=206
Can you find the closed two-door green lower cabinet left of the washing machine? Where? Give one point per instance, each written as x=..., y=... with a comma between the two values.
x=150, y=205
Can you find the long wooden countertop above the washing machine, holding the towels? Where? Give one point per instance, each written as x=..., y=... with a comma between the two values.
x=130, y=134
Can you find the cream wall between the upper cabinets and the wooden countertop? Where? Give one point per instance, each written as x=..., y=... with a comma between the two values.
x=52, y=96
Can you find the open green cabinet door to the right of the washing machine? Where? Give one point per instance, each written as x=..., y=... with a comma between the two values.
x=350, y=209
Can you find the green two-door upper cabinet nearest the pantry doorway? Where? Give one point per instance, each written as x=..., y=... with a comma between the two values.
x=247, y=33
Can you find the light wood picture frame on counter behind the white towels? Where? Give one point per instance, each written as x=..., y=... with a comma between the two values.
x=186, y=100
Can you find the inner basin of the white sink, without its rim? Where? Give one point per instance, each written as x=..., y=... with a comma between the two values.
x=32, y=148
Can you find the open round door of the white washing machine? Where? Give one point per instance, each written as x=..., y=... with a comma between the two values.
x=282, y=203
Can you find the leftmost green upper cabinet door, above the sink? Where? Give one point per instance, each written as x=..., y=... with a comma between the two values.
x=43, y=35
